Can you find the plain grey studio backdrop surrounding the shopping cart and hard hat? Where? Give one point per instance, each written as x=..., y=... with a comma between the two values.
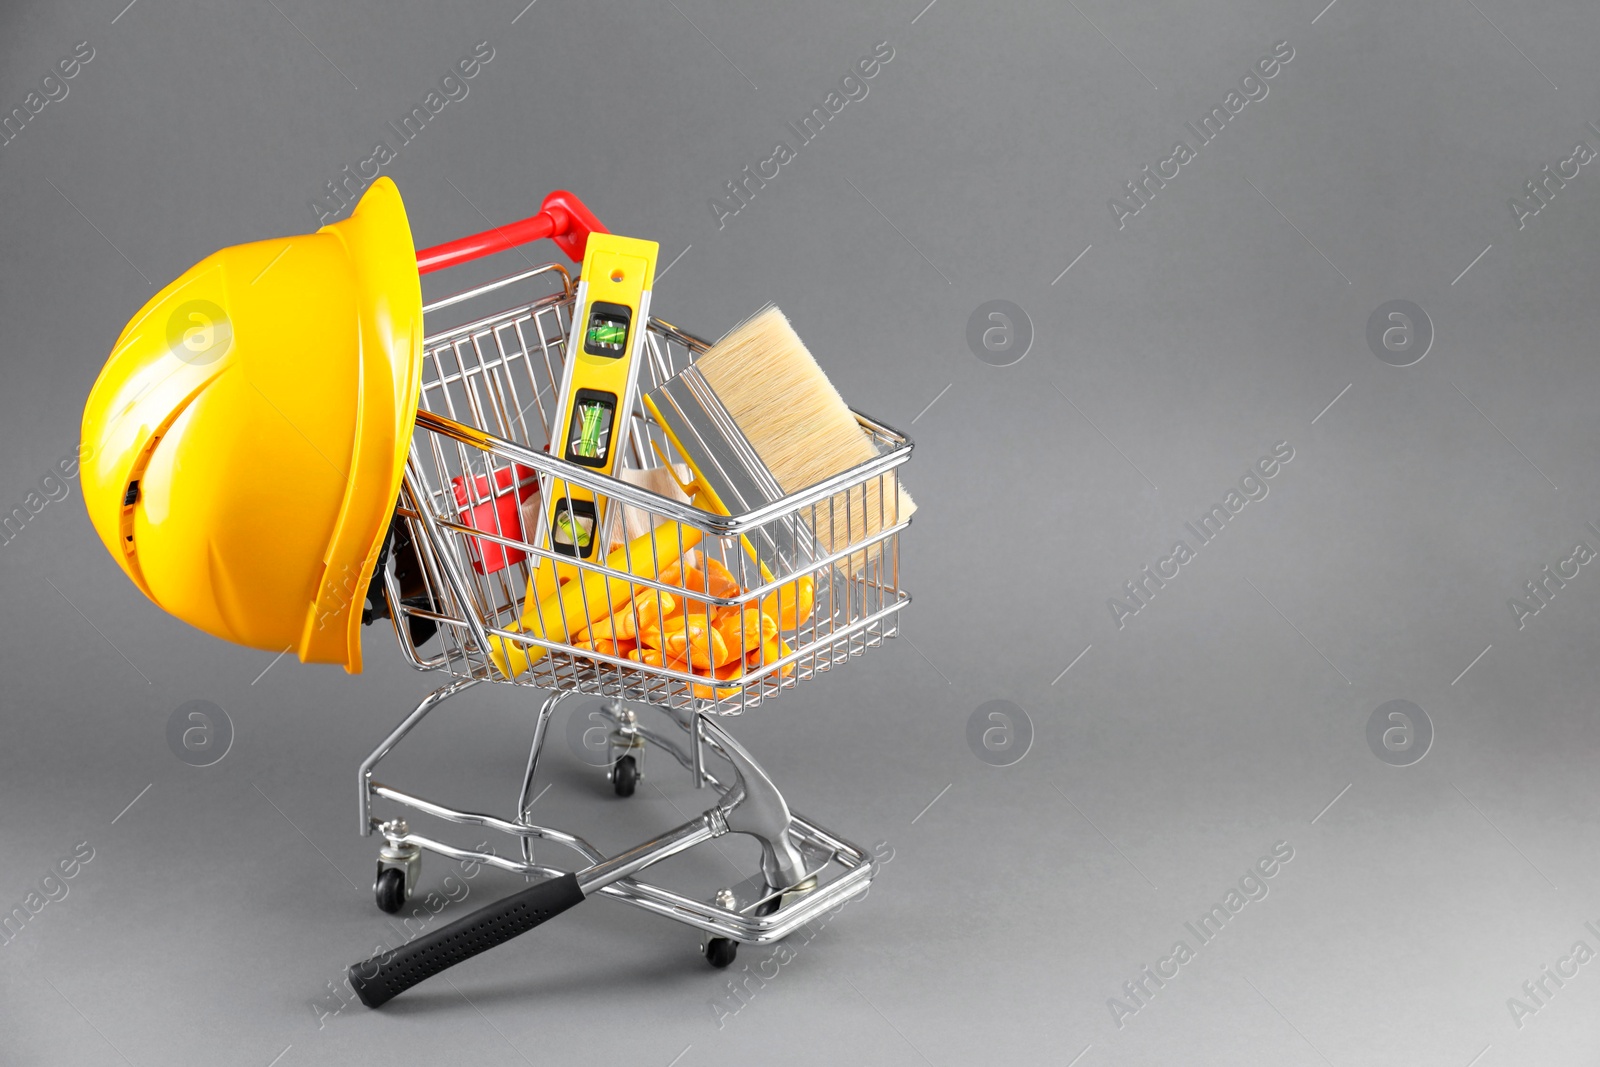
x=1174, y=354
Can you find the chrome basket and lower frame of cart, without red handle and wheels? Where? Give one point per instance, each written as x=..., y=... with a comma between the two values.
x=489, y=391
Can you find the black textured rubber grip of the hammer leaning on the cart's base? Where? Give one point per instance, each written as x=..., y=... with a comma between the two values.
x=385, y=977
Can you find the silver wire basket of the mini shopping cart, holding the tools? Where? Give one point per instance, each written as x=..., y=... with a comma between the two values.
x=489, y=390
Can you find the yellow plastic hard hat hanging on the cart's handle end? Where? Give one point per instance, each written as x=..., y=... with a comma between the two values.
x=246, y=442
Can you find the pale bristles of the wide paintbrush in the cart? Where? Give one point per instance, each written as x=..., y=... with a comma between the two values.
x=801, y=426
